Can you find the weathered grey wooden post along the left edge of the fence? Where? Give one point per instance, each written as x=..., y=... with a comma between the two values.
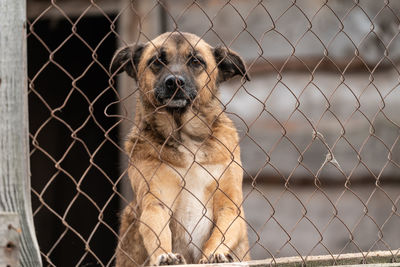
x=14, y=148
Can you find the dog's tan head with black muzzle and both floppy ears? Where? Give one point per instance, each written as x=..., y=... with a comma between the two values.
x=176, y=70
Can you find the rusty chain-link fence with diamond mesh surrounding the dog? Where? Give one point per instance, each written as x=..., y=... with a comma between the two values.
x=318, y=123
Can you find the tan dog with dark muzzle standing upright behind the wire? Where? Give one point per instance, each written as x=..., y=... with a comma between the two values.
x=185, y=167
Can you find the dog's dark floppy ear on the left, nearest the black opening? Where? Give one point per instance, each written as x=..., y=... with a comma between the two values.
x=127, y=59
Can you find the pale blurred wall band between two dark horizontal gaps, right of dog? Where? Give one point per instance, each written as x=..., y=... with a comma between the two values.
x=358, y=120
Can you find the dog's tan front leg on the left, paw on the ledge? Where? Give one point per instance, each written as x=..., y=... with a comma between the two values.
x=156, y=233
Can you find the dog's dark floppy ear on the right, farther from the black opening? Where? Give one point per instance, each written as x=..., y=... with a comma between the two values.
x=229, y=64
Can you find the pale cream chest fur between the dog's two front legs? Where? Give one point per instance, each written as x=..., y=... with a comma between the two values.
x=193, y=211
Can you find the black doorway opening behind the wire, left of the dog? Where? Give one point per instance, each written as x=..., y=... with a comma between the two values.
x=78, y=212
